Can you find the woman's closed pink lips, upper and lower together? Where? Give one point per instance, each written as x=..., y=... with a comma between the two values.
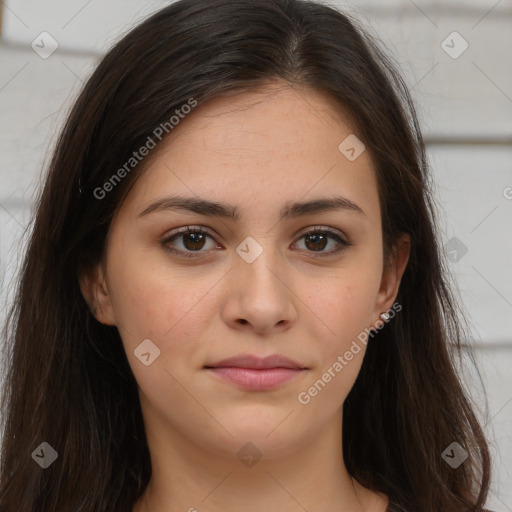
x=257, y=374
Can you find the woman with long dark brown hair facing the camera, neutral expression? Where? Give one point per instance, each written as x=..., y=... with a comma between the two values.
x=233, y=295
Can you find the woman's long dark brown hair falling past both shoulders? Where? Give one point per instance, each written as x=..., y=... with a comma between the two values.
x=68, y=382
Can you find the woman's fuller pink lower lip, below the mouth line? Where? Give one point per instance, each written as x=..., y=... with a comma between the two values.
x=256, y=380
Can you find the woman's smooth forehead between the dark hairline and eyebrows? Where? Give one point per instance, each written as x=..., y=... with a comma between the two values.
x=276, y=144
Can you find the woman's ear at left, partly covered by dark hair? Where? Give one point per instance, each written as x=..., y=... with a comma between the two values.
x=95, y=292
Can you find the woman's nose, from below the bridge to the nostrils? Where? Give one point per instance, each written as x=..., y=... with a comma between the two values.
x=260, y=296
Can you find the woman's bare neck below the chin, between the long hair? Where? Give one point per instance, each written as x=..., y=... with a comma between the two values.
x=187, y=477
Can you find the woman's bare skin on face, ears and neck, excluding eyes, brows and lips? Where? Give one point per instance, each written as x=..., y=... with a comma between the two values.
x=257, y=150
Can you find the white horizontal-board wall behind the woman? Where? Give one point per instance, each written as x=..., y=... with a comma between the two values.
x=465, y=106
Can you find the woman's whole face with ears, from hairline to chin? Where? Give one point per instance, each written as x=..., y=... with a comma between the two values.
x=256, y=281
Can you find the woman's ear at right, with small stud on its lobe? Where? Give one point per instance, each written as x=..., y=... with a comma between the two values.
x=392, y=275
